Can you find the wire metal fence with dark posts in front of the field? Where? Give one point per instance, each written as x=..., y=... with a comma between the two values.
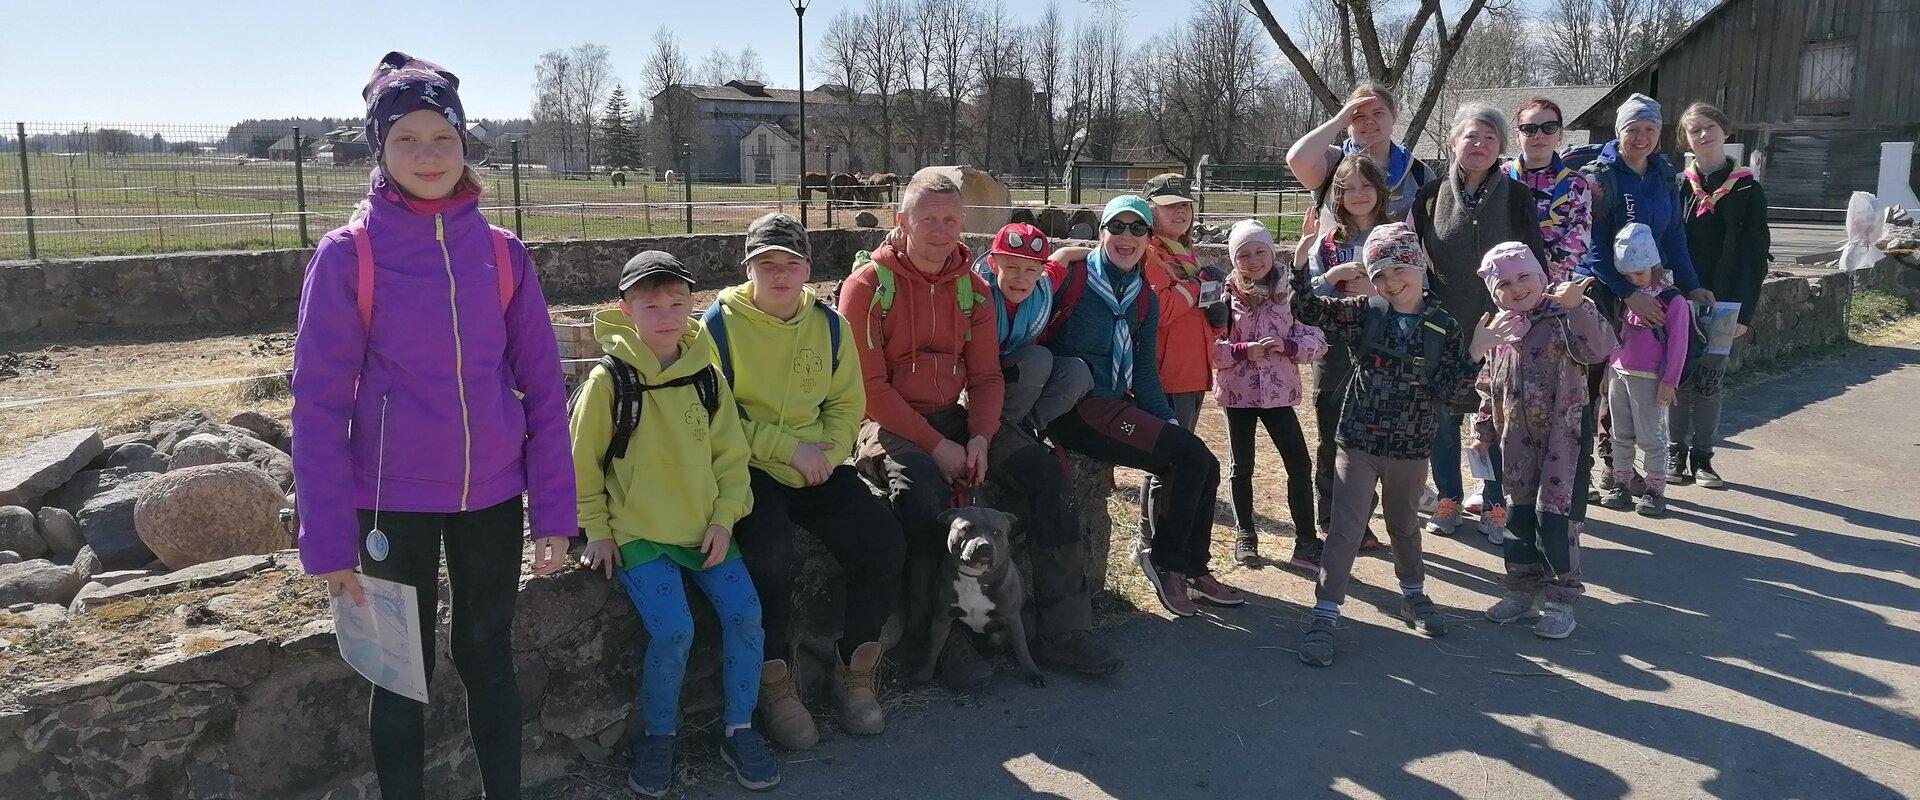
x=87, y=189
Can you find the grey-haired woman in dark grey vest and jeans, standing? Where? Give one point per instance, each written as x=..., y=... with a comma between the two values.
x=1460, y=218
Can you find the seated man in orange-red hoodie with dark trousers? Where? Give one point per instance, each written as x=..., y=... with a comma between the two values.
x=926, y=333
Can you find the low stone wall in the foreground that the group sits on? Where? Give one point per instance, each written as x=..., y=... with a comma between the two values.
x=245, y=707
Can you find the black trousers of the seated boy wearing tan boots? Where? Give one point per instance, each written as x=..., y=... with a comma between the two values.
x=852, y=523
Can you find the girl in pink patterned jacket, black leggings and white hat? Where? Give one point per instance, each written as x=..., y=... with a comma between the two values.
x=1259, y=360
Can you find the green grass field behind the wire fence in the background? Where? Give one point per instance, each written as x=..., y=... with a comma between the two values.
x=155, y=204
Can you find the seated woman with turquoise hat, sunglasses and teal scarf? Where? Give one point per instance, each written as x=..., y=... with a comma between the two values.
x=1109, y=321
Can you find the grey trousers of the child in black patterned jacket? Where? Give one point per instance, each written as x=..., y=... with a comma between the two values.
x=1401, y=481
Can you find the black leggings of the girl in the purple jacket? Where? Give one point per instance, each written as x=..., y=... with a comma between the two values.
x=485, y=571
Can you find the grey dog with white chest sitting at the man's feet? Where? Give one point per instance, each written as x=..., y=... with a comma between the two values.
x=980, y=586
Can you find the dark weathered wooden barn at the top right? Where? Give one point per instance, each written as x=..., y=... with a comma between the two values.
x=1813, y=89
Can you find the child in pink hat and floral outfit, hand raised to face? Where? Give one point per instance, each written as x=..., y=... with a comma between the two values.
x=1533, y=406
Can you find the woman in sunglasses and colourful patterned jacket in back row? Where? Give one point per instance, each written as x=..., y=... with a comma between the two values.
x=1564, y=199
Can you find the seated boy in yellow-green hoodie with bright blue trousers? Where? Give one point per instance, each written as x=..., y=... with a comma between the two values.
x=669, y=504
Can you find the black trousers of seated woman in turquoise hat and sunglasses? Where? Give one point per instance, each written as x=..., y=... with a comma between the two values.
x=1184, y=465
